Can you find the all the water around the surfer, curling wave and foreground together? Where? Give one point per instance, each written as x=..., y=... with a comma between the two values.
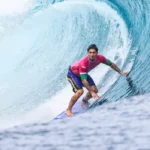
x=39, y=40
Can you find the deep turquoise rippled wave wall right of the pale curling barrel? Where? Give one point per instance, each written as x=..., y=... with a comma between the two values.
x=135, y=15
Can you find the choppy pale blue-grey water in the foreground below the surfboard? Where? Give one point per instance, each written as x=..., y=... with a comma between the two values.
x=117, y=125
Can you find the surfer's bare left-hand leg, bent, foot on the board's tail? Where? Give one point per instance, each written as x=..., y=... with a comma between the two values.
x=73, y=100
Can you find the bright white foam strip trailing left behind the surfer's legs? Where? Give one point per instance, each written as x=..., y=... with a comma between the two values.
x=44, y=112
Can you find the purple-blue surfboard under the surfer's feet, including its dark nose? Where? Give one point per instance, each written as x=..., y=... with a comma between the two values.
x=79, y=108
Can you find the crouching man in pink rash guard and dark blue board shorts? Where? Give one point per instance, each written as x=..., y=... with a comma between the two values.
x=79, y=78
